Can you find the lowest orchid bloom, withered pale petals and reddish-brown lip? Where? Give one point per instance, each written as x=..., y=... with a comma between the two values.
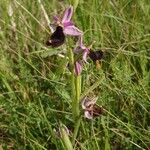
x=90, y=108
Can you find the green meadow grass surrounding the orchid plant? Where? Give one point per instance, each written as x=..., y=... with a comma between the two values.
x=35, y=94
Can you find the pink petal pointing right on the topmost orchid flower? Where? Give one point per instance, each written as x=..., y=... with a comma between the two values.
x=72, y=30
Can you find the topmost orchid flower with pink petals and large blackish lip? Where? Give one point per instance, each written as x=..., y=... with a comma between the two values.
x=64, y=27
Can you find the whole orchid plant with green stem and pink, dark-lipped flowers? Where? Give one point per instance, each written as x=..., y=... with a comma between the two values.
x=64, y=27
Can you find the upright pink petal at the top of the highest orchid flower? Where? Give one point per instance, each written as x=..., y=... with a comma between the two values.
x=68, y=14
